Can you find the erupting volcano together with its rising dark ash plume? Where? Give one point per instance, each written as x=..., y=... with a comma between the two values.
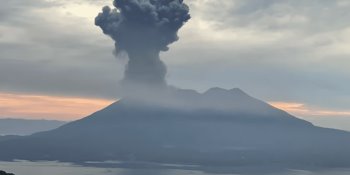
x=154, y=122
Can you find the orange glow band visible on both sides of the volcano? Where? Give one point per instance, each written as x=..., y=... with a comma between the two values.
x=72, y=108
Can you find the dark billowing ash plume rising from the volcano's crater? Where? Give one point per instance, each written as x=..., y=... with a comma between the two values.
x=143, y=28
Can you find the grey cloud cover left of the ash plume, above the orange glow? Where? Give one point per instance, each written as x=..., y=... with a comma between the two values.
x=39, y=54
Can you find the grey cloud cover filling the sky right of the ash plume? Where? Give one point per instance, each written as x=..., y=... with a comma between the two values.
x=277, y=50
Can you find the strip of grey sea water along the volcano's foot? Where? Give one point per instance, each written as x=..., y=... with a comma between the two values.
x=57, y=168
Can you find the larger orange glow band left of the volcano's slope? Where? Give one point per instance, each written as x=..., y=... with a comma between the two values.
x=48, y=107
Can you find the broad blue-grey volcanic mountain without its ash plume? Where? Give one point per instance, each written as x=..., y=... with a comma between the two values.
x=218, y=127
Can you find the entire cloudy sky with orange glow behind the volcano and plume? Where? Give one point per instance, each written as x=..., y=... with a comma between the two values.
x=292, y=53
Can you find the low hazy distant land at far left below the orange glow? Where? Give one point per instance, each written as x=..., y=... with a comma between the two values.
x=24, y=127
